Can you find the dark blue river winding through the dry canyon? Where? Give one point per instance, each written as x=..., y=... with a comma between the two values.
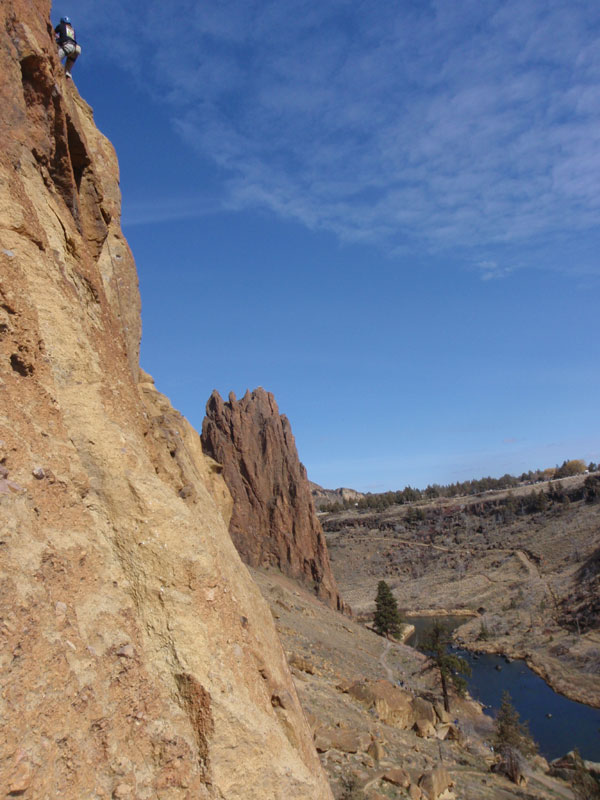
x=556, y=723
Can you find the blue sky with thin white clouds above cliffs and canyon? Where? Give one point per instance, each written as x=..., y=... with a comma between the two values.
x=386, y=214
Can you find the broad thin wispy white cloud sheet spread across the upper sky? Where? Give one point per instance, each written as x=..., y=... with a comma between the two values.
x=438, y=125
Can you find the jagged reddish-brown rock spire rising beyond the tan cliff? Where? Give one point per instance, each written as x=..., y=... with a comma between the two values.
x=274, y=521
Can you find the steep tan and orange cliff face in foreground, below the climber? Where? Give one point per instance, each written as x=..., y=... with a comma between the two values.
x=137, y=658
